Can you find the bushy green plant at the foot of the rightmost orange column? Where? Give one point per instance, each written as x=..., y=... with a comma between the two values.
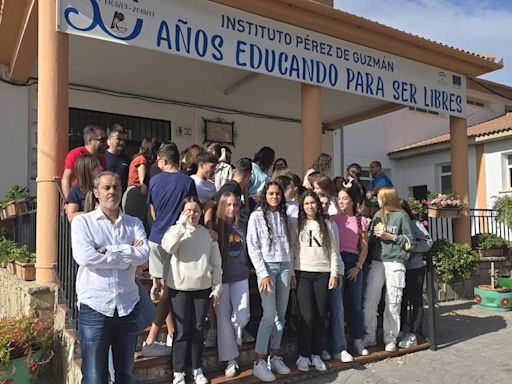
x=453, y=261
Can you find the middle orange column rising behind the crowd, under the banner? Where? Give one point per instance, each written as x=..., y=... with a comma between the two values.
x=311, y=132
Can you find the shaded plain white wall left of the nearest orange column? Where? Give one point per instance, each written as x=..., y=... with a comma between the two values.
x=14, y=146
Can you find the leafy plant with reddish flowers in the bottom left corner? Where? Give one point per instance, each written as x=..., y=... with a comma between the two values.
x=22, y=336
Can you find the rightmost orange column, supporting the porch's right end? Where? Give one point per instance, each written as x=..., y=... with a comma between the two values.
x=460, y=176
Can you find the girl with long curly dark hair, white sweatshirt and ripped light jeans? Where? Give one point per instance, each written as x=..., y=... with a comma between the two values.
x=268, y=243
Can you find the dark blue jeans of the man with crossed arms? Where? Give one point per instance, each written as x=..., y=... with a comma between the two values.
x=97, y=333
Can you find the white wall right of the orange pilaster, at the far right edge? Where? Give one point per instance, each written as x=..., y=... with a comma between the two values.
x=495, y=168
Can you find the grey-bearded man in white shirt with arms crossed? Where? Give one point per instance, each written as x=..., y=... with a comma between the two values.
x=108, y=245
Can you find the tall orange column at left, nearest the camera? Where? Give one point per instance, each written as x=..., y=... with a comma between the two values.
x=52, y=134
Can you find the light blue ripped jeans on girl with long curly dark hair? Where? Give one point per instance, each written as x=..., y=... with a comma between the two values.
x=274, y=306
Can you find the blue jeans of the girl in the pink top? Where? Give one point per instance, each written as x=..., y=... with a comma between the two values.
x=354, y=289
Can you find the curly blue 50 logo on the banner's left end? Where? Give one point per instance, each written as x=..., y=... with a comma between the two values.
x=117, y=22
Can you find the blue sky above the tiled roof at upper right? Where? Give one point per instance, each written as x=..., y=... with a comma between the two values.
x=479, y=26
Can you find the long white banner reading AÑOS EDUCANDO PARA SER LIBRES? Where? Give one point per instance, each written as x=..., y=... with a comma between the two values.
x=211, y=32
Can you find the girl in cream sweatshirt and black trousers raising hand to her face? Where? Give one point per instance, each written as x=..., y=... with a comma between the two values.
x=194, y=276
